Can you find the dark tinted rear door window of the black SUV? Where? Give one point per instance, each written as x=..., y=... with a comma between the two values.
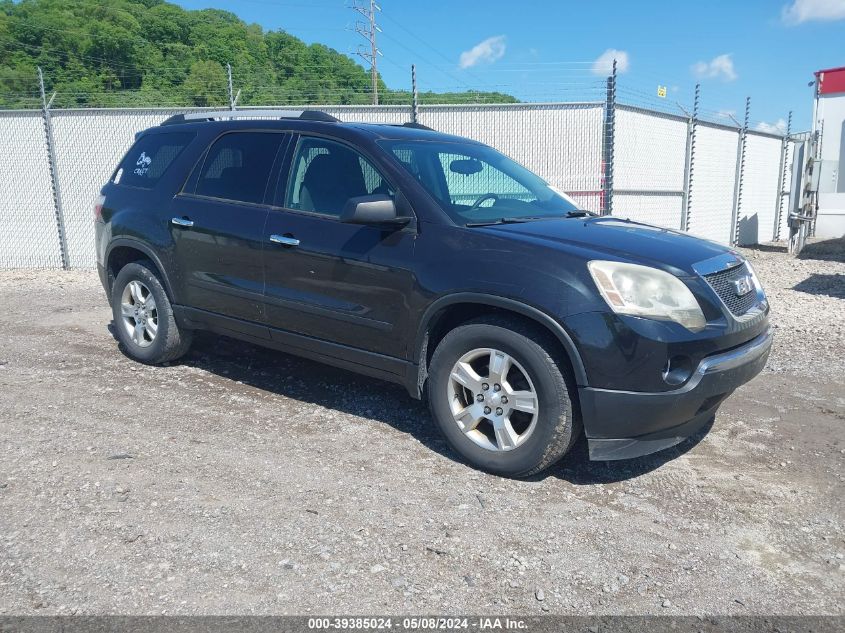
x=237, y=166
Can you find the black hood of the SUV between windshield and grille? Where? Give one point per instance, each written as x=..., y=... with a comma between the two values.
x=617, y=239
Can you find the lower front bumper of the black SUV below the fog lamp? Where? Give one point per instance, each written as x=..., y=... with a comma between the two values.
x=626, y=424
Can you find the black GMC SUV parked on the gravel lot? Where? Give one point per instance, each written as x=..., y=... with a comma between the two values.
x=435, y=262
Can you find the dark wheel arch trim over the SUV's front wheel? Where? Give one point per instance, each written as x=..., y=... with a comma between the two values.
x=447, y=312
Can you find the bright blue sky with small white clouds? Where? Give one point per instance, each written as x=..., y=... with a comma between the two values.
x=552, y=50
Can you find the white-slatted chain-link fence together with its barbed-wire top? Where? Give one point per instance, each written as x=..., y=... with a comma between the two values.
x=640, y=160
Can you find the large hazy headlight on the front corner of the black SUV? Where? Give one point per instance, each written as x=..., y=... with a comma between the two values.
x=647, y=292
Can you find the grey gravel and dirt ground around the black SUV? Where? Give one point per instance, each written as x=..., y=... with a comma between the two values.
x=247, y=481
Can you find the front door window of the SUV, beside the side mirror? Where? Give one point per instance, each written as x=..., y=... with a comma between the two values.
x=326, y=174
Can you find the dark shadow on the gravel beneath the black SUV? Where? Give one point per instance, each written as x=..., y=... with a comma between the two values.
x=308, y=381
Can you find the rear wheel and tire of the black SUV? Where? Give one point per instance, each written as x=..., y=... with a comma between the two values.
x=155, y=337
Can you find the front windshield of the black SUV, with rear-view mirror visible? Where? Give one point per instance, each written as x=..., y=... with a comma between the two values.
x=475, y=184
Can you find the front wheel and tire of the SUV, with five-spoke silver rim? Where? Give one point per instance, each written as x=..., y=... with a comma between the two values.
x=528, y=447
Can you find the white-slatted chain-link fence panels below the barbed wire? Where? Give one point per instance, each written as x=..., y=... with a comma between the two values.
x=668, y=170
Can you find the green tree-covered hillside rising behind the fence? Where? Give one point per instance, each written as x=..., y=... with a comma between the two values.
x=154, y=53
